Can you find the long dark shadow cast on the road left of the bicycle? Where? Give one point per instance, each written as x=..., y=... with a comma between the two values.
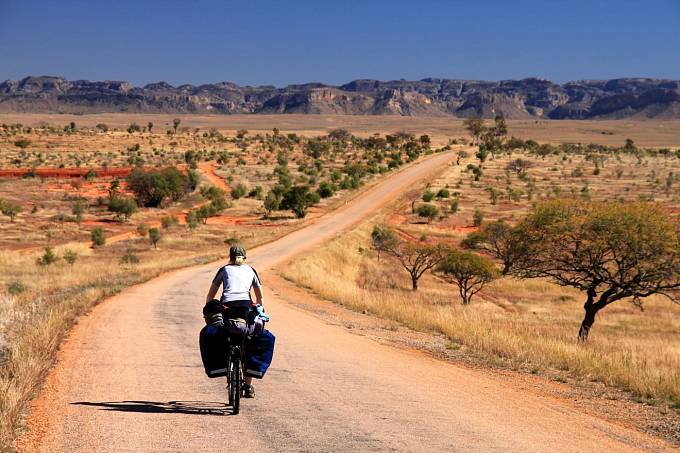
x=155, y=407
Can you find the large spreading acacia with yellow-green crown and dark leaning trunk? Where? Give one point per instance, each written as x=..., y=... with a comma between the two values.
x=611, y=251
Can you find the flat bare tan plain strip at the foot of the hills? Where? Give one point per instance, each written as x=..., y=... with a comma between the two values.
x=609, y=132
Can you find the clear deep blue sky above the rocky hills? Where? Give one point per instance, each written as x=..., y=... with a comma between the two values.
x=282, y=42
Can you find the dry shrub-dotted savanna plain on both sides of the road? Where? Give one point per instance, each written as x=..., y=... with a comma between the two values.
x=95, y=203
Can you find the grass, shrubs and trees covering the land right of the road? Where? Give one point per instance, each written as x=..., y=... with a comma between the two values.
x=539, y=257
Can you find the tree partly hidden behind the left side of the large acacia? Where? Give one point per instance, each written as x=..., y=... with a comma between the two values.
x=501, y=240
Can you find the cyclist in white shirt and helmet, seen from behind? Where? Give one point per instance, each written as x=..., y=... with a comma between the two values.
x=237, y=279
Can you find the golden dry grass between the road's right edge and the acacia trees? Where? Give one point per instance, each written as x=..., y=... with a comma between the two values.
x=530, y=325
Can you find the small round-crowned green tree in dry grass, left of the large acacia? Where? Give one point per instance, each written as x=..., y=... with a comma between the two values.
x=468, y=271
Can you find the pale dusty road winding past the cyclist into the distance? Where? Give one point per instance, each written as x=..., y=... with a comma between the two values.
x=130, y=379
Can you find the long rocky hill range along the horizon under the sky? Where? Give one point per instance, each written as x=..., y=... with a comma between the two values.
x=514, y=99
